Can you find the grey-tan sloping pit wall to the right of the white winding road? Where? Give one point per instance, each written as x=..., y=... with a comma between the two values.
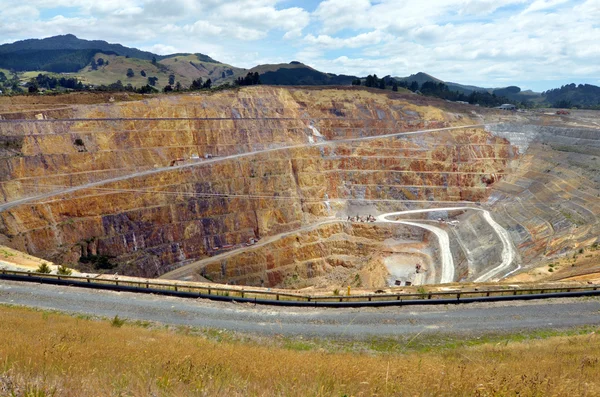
x=549, y=204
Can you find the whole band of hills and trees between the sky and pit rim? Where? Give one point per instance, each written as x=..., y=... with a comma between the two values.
x=97, y=64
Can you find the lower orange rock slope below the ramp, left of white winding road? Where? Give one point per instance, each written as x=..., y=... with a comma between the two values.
x=336, y=253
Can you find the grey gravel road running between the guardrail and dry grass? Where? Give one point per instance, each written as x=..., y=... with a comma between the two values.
x=469, y=319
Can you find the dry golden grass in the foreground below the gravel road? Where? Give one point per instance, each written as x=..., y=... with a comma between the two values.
x=49, y=354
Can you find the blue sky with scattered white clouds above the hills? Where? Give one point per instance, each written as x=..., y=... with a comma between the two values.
x=535, y=44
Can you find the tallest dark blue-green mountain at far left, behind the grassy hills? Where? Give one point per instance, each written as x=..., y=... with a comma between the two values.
x=67, y=53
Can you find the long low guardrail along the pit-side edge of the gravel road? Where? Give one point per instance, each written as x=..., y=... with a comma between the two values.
x=291, y=299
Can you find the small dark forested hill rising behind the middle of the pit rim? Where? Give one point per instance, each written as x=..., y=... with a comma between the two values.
x=297, y=73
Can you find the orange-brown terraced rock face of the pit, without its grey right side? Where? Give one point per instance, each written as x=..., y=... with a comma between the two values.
x=148, y=217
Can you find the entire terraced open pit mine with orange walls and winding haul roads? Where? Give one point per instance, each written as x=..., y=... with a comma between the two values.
x=302, y=187
